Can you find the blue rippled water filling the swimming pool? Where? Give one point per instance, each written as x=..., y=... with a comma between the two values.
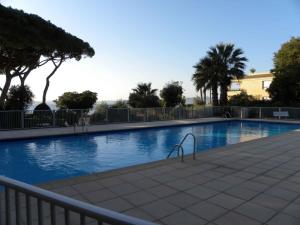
x=45, y=159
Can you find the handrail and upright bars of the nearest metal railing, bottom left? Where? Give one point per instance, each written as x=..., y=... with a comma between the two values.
x=85, y=210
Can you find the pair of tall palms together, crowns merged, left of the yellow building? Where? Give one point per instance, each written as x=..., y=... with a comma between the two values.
x=222, y=63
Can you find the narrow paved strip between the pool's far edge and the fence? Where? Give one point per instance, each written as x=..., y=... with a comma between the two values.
x=60, y=131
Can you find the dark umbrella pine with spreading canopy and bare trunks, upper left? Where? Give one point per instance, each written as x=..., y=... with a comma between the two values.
x=27, y=42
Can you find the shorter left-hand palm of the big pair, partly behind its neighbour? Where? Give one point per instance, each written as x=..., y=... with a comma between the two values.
x=205, y=78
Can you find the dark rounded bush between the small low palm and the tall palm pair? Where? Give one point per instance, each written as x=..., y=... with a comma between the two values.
x=172, y=94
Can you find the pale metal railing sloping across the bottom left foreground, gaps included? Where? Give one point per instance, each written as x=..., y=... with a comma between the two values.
x=27, y=204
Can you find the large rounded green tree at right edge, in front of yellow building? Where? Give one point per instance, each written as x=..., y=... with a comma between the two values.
x=285, y=87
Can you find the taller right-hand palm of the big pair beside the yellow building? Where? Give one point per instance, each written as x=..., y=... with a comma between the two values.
x=229, y=63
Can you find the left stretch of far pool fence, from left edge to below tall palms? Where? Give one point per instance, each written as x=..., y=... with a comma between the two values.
x=64, y=118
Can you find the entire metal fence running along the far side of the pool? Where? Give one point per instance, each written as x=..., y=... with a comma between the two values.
x=66, y=118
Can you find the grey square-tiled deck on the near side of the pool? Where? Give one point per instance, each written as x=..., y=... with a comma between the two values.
x=250, y=183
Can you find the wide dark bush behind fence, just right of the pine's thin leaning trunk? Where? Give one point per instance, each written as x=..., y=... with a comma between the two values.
x=75, y=100
